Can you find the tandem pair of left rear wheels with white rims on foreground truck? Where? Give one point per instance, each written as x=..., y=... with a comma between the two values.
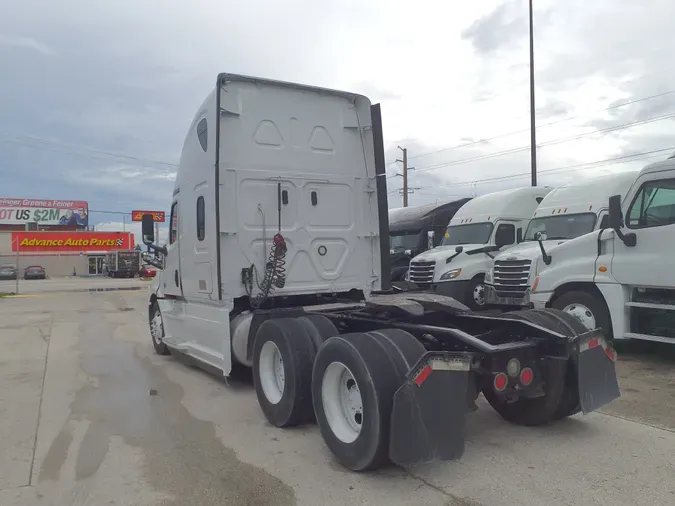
x=303, y=370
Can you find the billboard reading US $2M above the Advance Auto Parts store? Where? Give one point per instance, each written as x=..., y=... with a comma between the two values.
x=44, y=212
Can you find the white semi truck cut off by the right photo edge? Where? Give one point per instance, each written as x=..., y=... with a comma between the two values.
x=620, y=279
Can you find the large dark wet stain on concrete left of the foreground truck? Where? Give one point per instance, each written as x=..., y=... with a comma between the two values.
x=183, y=456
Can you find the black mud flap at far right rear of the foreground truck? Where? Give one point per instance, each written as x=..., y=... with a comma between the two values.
x=596, y=370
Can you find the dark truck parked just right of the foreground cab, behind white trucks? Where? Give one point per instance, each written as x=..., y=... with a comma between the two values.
x=413, y=230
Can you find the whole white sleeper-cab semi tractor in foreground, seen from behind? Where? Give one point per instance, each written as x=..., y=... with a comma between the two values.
x=277, y=260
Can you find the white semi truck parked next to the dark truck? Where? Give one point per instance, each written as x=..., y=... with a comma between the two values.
x=484, y=225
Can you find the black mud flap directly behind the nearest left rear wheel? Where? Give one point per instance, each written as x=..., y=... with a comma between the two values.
x=429, y=412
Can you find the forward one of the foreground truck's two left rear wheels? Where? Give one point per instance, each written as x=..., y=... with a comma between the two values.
x=283, y=353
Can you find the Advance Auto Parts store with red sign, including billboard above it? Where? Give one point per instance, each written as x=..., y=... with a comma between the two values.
x=55, y=234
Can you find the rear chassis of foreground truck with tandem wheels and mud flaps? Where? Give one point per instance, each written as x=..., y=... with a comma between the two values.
x=393, y=379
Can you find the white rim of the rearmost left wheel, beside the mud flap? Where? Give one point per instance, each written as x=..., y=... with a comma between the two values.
x=342, y=402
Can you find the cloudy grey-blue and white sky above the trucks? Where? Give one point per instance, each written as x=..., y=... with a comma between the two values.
x=95, y=97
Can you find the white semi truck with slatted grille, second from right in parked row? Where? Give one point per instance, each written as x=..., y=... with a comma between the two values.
x=567, y=212
